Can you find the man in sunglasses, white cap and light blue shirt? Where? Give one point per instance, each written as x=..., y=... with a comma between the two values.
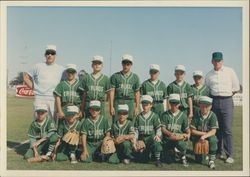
x=43, y=79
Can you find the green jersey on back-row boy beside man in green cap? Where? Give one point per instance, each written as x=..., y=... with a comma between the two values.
x=203, y=91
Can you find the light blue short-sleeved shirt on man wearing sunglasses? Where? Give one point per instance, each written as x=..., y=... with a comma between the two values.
x=45, y=78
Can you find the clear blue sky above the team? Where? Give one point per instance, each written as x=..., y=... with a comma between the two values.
x=167, y=36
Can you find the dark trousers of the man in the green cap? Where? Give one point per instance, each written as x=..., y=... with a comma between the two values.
x=223, y=108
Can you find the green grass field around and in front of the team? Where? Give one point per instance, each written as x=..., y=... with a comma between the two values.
x=19, y=117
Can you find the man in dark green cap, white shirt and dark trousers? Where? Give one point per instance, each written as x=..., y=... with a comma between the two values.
x=223, y=83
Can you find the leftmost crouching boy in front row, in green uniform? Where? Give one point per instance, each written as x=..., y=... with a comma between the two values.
x=42, y=135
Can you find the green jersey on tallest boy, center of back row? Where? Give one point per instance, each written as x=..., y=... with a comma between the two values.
x=125, y=86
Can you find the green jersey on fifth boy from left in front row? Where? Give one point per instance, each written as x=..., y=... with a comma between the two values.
x=147, y=126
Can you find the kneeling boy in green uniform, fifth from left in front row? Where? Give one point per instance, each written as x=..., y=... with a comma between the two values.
x=148, y=128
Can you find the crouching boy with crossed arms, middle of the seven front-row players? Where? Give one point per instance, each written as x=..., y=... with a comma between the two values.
x=124, y=136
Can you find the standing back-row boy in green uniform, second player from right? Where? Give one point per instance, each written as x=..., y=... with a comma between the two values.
x=181, y=87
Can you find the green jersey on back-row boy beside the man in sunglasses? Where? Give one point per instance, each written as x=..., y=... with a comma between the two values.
x=69, y=93
